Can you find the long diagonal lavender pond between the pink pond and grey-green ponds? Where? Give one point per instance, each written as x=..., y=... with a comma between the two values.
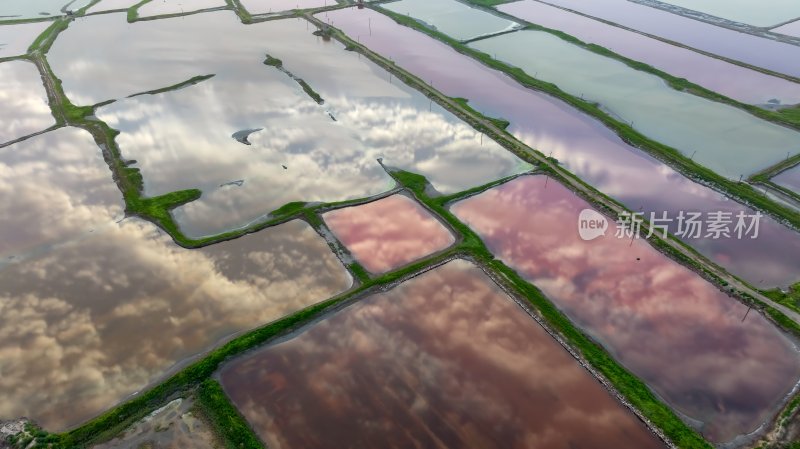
x=582, y=144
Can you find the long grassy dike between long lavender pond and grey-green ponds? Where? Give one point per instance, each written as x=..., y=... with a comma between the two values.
x=743, y=192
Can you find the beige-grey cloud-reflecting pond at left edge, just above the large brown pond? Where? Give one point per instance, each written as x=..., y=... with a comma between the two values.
x=54, y=188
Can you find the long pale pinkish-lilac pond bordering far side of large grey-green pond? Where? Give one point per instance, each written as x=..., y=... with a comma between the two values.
x=734, y=81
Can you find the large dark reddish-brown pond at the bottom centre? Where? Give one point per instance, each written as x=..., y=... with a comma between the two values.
x=445, y=360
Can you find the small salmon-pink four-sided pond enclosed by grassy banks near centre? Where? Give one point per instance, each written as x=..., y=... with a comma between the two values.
x=388, y=233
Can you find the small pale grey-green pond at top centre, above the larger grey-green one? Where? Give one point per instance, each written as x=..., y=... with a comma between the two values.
x=451, y=17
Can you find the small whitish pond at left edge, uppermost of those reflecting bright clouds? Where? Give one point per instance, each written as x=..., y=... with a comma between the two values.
x=25, y=110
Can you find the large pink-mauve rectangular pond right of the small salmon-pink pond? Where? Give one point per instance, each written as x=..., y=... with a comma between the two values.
x=690, y=342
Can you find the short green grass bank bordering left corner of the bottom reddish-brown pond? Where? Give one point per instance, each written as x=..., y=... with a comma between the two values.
x=225, y=418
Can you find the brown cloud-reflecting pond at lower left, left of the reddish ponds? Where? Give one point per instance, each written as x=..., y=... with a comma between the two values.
x=94, y=320
